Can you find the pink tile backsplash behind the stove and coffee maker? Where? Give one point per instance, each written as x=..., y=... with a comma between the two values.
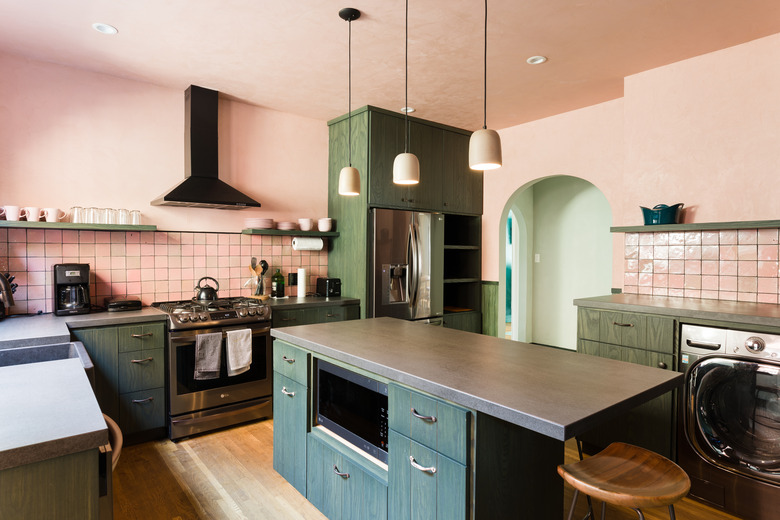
x=155, y=265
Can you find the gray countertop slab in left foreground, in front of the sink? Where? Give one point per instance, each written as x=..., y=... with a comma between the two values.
x=47, y=410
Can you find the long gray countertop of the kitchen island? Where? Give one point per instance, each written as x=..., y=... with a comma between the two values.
x=557, y=393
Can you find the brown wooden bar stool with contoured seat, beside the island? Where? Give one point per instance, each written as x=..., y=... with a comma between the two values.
x=627, y=475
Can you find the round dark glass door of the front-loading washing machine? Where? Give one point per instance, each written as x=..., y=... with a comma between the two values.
x=732, y=415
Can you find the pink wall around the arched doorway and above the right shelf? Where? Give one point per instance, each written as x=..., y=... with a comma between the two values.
x=702, y=131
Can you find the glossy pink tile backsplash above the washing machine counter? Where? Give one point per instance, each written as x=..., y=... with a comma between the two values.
x=735, y=265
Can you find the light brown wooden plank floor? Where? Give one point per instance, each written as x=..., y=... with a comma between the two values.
x=228, y=475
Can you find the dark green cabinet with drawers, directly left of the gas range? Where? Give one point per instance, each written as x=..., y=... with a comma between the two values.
x=129, y=374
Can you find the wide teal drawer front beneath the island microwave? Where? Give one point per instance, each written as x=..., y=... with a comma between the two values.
x=341, y=486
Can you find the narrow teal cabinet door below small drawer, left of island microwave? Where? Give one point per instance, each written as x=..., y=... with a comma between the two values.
x=290, y=427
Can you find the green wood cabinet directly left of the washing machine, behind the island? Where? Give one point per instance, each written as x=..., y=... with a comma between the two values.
x=642, y=339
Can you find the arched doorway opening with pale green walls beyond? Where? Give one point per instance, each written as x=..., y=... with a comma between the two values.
x=557, y=246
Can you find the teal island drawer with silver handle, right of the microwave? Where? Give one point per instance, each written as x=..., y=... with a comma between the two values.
x=438, y=425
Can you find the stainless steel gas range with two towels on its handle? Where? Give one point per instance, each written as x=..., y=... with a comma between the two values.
x=199, y=405
